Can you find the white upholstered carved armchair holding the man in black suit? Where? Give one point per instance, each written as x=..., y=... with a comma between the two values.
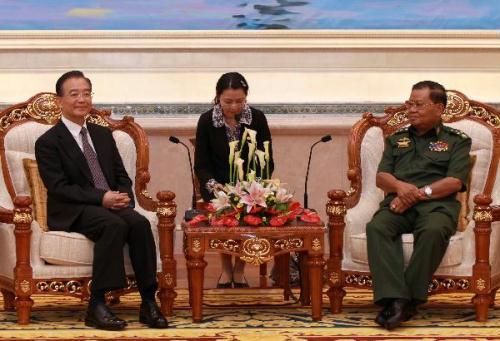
x=35, y=260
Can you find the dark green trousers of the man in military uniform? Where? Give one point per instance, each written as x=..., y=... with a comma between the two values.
x=431, y=231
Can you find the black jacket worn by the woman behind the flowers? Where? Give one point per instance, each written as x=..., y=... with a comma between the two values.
x=212, y=149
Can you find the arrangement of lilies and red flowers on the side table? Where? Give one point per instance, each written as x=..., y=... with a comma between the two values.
x=251, y=197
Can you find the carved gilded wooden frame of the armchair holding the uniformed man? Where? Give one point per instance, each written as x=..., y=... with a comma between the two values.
x=482, y=277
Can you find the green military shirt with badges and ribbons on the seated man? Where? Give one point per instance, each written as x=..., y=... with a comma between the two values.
x=421, y=160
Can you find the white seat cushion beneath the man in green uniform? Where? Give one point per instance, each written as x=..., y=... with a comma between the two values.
x=452, y=257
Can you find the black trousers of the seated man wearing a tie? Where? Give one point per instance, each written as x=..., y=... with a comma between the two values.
x=110, y=230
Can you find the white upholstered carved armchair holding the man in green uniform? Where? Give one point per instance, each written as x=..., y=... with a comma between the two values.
x=472, y=261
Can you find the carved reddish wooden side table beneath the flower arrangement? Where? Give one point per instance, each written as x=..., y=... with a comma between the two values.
x=257, y=245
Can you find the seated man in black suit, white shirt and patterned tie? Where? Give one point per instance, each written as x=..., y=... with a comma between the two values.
x=90, y=192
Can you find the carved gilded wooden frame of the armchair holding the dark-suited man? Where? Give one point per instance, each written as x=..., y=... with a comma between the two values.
x=19, y=283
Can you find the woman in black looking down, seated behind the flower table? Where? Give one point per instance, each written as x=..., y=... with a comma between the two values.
x=222, y=124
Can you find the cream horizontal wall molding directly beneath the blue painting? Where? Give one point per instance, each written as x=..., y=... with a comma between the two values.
x=236, y=39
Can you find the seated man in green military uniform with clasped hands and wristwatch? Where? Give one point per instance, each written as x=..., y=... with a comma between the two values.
x=422, y=169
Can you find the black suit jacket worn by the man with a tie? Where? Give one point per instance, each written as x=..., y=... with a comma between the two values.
x=66, y=174
